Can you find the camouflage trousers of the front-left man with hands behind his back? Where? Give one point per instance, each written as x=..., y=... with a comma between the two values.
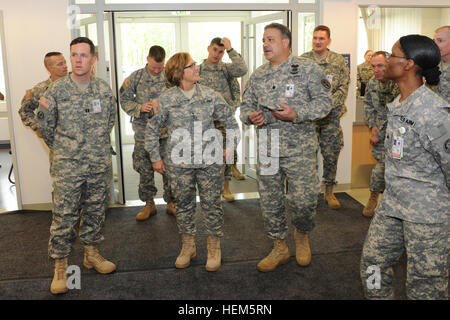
x=92, y=193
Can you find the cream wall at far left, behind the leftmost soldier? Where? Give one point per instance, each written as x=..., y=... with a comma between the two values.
x=32, y=29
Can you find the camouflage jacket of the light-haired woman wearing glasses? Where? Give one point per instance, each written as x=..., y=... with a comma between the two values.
x=190, y=127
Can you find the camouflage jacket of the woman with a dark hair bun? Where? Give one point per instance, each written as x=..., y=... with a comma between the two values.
x=418, y=182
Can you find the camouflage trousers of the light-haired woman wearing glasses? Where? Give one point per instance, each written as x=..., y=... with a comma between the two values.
x=209, y=181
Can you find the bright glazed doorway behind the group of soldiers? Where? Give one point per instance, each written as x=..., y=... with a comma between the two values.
x=128, y=36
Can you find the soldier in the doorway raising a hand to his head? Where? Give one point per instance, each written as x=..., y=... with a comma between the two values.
x=221, y=77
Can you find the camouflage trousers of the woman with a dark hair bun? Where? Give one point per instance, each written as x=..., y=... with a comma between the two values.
x=427, y=250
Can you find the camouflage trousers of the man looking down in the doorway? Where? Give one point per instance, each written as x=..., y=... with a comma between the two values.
x=142, y=164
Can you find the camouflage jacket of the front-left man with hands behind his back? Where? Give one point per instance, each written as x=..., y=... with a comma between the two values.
x=77, y=125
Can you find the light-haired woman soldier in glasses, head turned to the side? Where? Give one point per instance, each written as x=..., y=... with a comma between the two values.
x=187, y=110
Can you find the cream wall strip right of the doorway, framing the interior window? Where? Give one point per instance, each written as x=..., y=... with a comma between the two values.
x=342, y=16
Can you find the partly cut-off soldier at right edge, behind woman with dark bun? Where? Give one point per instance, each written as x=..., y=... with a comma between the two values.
x=442, y=39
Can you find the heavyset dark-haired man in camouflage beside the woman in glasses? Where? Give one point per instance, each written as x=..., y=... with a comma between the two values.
x=300, y=88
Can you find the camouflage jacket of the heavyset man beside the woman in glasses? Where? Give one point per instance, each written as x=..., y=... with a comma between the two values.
x=299, y=83
